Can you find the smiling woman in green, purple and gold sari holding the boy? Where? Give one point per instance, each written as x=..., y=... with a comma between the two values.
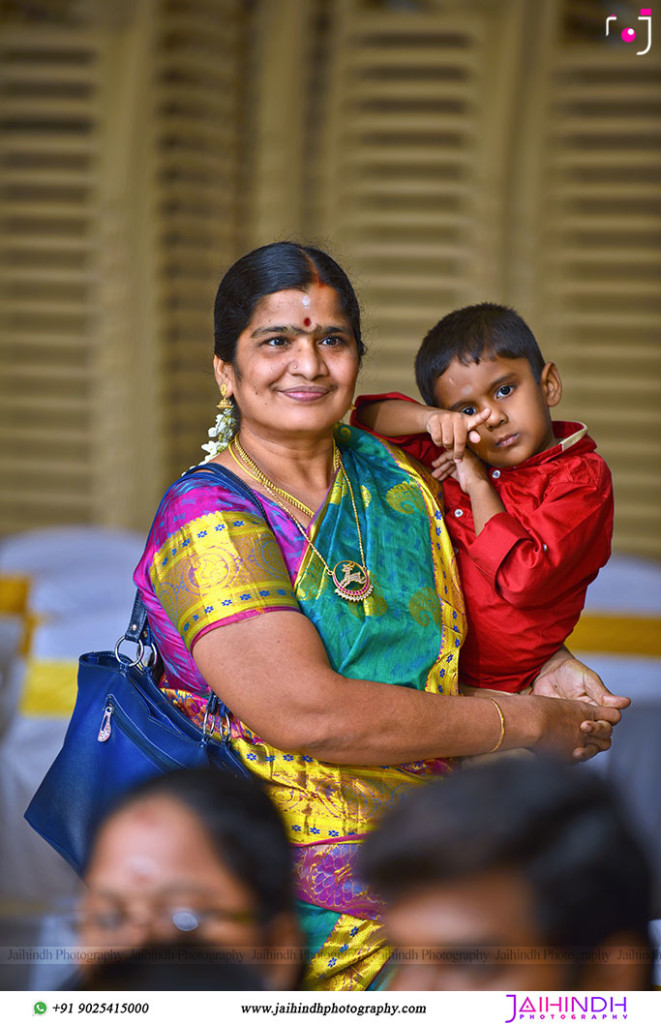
x=336, y=588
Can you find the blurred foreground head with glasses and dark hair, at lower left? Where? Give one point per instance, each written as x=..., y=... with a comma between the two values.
x=197, y=852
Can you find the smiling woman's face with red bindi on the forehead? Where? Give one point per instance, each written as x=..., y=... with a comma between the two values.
x=296, y=364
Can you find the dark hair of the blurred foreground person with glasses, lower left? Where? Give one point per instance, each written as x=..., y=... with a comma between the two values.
x=242, y=825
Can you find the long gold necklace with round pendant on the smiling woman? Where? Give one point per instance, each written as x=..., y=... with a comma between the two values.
x=354, y=574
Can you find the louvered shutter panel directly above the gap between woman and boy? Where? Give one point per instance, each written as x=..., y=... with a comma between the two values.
x=413, y=166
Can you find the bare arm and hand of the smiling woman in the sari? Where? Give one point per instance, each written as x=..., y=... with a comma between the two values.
x=274, y=673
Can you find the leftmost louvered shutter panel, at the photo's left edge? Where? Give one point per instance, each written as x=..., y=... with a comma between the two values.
x=49, y=175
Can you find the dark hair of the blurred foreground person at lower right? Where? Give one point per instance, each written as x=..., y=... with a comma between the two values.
x=560, y=830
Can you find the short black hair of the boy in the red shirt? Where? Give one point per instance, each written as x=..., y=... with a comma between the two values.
x=486, y=330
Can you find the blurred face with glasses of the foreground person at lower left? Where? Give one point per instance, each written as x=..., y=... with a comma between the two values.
x=154, y=875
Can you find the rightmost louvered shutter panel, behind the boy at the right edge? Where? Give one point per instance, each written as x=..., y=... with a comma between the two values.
x=594, y=261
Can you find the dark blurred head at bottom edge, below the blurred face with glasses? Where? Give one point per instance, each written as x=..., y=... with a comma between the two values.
x=164, y=968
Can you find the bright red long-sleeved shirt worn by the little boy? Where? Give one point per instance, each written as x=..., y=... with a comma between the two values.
x=525, y=576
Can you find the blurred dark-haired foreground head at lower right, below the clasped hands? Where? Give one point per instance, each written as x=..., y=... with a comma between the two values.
x=511, y=876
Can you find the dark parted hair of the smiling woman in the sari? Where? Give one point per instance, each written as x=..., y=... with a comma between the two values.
x=274, y=269
